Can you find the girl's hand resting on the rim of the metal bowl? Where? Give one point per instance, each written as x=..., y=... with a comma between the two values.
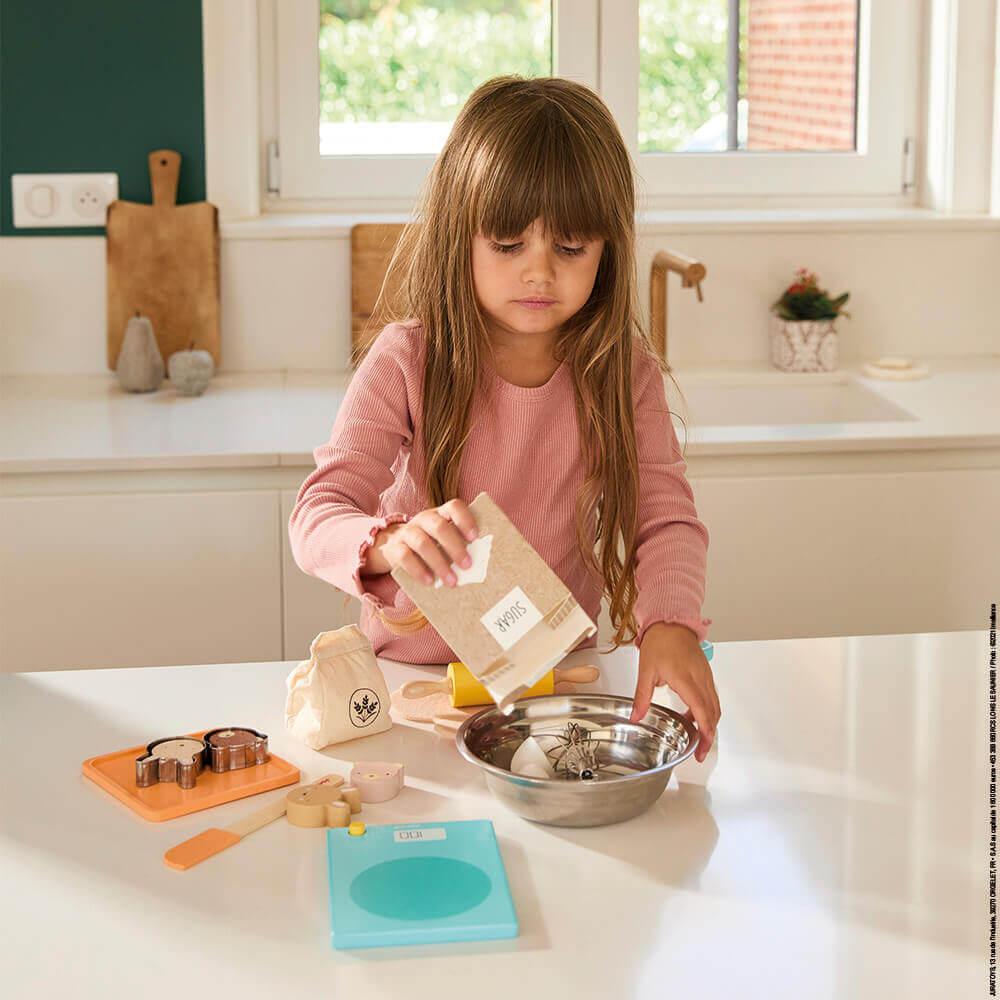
x=671, y=654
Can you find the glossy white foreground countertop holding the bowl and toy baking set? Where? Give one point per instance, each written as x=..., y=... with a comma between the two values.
x=834, y=846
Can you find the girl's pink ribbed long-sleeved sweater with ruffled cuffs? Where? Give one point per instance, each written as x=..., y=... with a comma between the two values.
x=524, y=451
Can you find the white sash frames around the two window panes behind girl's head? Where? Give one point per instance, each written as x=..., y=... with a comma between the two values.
x=597, y=43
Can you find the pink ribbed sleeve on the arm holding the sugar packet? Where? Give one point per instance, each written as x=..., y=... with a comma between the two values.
x=335, y=518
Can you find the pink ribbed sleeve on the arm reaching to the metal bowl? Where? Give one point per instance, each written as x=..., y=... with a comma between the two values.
x=672, y=544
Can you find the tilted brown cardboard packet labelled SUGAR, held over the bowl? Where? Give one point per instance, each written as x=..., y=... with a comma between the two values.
x=509, y=618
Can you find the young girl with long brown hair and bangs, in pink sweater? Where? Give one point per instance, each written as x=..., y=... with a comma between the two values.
x=517, y=364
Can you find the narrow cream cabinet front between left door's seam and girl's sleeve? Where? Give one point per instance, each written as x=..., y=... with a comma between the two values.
x=309, y=605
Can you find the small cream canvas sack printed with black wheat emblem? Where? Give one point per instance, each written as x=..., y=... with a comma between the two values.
x=339, y=693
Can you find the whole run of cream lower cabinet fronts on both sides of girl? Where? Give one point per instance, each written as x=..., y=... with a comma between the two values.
x=150, y=578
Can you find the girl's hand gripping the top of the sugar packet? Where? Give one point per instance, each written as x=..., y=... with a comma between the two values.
x=428, y=543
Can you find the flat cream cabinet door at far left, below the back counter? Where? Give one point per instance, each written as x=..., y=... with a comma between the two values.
x=145, y=579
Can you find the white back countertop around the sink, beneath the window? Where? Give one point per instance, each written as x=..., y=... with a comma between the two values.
x=52, y=423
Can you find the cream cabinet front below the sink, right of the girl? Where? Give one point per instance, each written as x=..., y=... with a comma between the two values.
x=852, y=554
